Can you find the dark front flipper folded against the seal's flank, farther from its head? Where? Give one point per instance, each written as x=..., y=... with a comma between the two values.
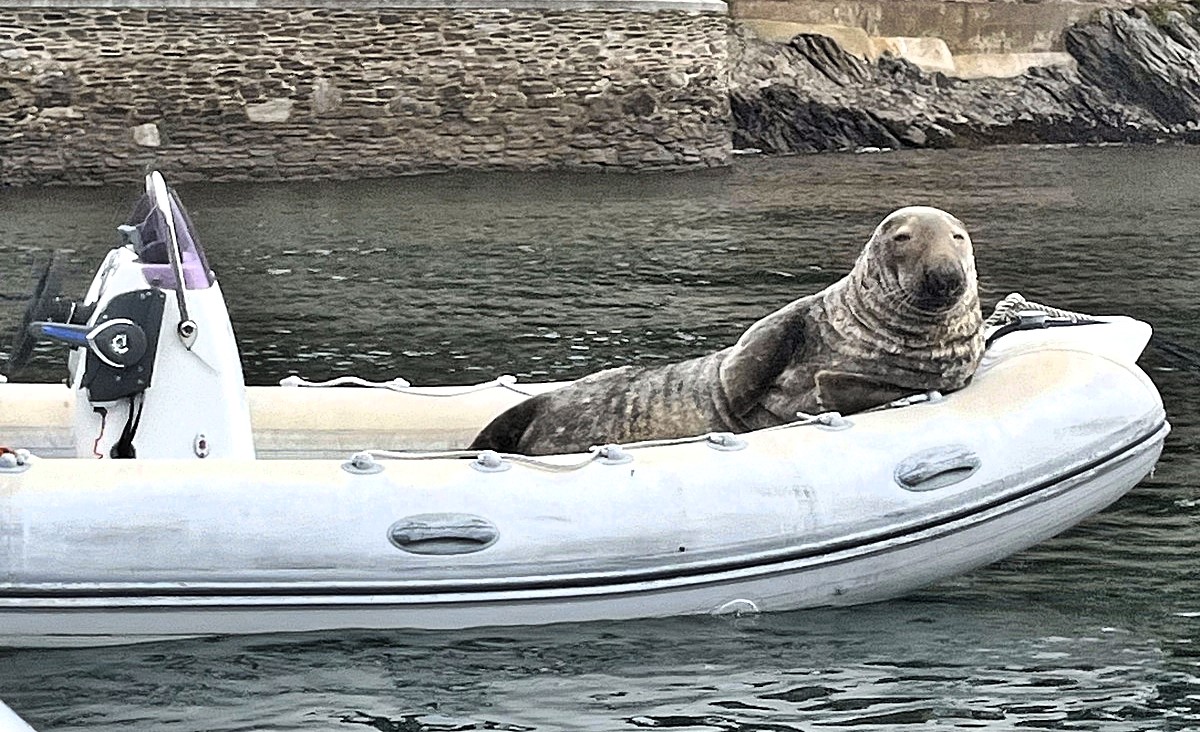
x=760, y=356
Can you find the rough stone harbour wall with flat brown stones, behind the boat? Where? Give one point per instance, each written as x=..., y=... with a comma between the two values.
x=92, y=94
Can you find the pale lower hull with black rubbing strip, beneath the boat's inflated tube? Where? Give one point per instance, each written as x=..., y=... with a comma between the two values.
x=877, y=571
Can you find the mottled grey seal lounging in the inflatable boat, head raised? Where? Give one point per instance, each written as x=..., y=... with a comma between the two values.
x=905, y=320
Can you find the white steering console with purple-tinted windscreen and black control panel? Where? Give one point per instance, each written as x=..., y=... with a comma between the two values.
x=155, y=365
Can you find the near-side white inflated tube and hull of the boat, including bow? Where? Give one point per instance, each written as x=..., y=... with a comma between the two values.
x=1052, y=430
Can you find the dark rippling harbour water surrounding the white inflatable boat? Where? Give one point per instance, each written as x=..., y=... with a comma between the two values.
x=458, y=279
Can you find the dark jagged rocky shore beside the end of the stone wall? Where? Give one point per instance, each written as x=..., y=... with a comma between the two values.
x=1138, y=80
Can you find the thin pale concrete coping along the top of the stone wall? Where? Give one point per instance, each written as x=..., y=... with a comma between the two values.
x=698, y=7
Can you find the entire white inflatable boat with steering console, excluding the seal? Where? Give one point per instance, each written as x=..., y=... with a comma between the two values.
x=155, y=496
